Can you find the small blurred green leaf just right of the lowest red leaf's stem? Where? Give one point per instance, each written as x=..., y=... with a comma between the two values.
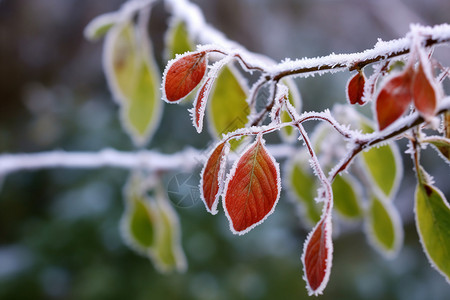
x=346, y=196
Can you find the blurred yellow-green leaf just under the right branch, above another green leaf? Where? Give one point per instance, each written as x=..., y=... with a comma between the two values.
x=384, y=168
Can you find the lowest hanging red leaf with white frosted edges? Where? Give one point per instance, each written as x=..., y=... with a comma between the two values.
x=317, y=257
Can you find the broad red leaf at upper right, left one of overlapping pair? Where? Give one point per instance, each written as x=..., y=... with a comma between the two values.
x=394, y=98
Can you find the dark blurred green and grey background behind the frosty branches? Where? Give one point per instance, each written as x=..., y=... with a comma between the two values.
x=59, y=235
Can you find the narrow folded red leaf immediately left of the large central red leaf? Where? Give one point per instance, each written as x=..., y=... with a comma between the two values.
x=212, y=177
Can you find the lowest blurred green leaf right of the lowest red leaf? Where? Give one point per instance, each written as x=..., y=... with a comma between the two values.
x=383, y=227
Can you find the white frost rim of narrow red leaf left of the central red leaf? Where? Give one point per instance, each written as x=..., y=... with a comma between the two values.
x=220, y=177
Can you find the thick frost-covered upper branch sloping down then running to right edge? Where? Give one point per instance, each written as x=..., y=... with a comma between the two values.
x=383, y=50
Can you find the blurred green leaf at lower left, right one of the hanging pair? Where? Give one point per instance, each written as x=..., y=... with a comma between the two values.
x=169, y=255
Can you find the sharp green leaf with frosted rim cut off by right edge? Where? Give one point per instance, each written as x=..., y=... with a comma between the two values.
x=433, y=225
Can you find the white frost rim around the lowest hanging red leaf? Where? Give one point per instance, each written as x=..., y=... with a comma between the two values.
x=326, y=217
